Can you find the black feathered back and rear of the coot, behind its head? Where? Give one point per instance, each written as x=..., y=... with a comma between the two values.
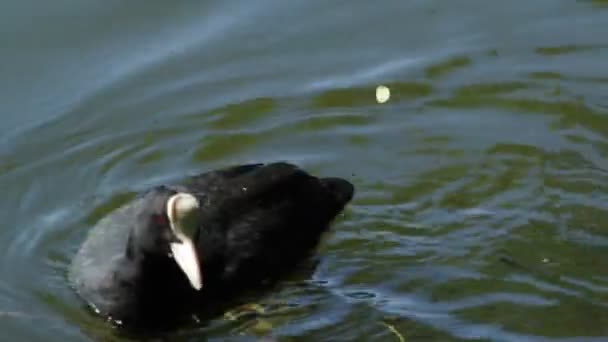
x=260, y=220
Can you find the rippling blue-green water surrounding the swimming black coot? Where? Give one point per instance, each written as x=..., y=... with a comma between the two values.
x=482, y=183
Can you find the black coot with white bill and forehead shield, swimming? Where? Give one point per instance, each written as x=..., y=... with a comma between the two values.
x=177, y=247
